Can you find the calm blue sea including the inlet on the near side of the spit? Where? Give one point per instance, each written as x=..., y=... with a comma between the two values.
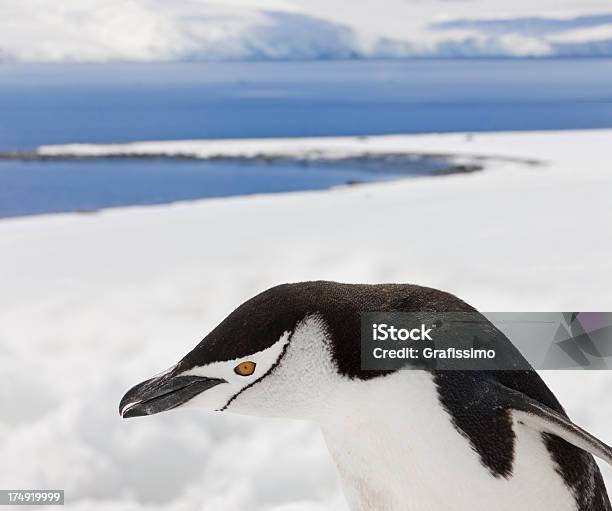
x=65, y=103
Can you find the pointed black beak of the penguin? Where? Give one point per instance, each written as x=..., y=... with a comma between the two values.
x=163, y=393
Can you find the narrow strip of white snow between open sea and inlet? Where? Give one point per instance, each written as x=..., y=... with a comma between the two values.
x=537, y=146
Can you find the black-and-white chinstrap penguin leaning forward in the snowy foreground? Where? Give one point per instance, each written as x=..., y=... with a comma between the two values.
x=402, y=440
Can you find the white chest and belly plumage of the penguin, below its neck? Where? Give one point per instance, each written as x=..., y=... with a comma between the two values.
x=397, y=449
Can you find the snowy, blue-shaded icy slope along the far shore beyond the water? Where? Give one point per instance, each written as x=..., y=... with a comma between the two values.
x=153, y=30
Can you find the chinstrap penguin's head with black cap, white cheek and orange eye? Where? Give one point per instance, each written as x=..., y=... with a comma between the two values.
x=272, y=356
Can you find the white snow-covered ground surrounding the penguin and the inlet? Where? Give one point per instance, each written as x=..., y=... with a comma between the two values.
x=92, y=303
